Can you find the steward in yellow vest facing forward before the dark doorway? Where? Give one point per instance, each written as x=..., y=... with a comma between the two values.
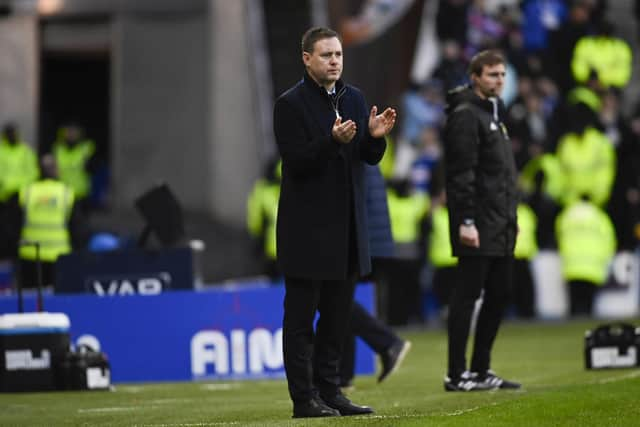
x=72, y=154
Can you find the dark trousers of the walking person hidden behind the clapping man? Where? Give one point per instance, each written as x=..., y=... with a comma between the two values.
x=373, y=332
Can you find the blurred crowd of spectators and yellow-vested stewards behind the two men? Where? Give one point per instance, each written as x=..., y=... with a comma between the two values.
x=576, y=151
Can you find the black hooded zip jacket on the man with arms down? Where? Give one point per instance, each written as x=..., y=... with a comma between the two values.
x=480, y=173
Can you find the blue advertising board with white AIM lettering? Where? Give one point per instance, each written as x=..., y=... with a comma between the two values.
x=231, y=332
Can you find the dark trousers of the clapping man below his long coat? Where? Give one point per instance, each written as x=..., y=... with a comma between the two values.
x=312, y=358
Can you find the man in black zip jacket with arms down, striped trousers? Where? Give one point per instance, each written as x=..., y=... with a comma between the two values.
x=482, y=200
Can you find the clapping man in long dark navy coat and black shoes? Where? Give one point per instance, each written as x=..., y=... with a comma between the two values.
x=325, y=135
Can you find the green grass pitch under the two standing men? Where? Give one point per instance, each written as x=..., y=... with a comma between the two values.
x=546, y=357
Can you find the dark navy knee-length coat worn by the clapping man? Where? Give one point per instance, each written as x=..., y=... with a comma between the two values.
x=320, y=177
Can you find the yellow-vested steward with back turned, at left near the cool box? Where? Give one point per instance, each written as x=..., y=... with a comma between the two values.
x=47, y=207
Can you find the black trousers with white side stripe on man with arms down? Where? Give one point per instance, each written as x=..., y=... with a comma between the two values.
x=475, y=275
